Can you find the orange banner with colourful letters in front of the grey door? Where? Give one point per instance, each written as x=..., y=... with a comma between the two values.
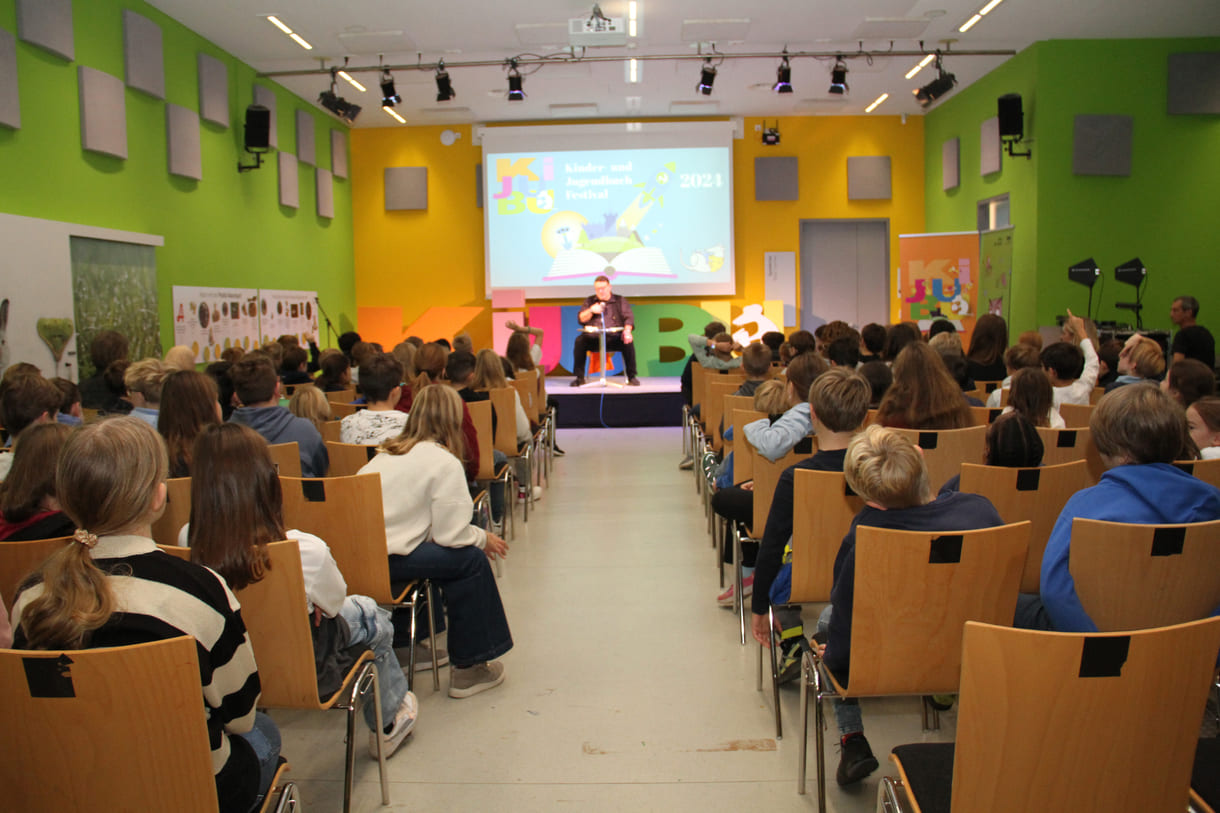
x=939, y=279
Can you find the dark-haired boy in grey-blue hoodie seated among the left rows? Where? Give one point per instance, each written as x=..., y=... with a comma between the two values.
x=258, y=391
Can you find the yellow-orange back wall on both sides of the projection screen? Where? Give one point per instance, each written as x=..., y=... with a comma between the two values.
x=420, y=259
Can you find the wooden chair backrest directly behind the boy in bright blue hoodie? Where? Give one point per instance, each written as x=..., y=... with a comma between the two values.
x=1138, y=577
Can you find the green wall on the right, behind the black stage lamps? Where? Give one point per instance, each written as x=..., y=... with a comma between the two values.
x=1164, y=213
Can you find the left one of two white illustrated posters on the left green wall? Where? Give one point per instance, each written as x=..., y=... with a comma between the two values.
x=213, y=320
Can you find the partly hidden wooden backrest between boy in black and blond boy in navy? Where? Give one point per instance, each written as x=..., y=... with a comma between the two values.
x=824, y=510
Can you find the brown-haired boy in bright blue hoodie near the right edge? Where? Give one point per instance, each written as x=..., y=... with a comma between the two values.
x=1140, y=432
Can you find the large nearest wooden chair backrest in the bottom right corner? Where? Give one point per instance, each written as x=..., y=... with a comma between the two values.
x=1050, y=721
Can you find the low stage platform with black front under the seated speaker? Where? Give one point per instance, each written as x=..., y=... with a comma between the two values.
x=656, y=402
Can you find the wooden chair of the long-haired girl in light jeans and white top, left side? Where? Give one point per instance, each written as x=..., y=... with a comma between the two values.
x=274, y=610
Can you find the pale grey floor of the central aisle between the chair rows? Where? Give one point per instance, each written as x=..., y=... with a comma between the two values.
x=628, y=689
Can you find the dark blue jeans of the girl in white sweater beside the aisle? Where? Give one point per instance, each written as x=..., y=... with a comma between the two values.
x=479, y=631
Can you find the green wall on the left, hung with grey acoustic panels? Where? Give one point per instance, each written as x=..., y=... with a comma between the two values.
x=228, y=229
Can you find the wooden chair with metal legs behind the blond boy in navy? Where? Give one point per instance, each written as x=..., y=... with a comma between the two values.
x=914, y=591
